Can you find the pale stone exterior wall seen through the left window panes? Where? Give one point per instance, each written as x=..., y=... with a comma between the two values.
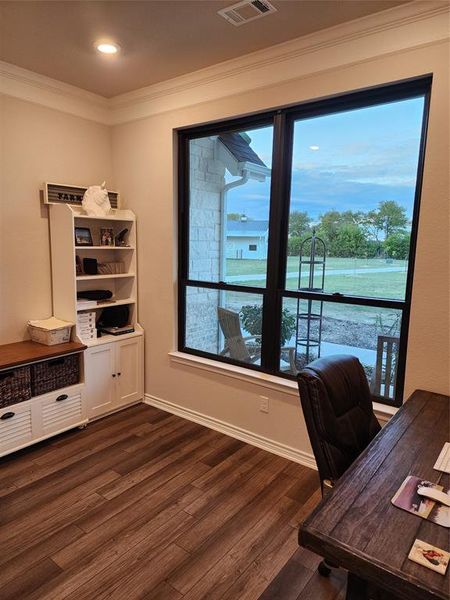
x=206, y=184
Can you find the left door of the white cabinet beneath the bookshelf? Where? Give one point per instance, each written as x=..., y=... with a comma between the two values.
x=100, y=379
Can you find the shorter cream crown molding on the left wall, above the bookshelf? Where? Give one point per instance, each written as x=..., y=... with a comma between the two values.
x=39, y=89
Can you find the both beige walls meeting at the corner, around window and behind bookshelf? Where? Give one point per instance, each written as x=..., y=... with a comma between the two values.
x=39, y=144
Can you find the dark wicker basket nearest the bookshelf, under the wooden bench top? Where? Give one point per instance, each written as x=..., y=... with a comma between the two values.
x=54, y=374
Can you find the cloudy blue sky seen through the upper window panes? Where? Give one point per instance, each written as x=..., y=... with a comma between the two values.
x=358, y=158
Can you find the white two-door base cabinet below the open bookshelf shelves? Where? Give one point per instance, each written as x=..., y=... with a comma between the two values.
x=114, y=375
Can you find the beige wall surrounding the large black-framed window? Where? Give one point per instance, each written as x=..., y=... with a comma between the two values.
x=143, y=160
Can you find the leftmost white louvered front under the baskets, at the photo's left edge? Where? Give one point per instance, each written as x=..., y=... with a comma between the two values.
x=15, y=427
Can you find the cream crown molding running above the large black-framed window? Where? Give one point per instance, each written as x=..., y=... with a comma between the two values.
x=401, y=28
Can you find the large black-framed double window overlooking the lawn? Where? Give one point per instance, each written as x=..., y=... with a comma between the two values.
x=297, y=234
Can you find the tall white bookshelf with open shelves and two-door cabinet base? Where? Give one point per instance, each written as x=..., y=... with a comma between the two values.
x=113, y=365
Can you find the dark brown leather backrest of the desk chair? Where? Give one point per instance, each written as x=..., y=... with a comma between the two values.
x=338, y=411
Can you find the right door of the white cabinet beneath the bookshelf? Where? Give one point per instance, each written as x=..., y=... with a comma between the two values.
x=129, y=367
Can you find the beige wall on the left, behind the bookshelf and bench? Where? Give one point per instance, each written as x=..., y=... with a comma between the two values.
x=38, y=144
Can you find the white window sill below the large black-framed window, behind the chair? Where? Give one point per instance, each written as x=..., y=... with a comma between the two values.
x=278, y=384
